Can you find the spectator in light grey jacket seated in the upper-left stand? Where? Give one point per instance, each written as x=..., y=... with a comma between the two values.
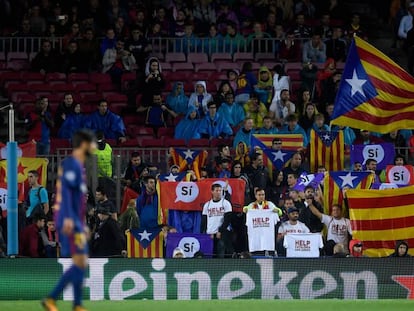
x=116, y=61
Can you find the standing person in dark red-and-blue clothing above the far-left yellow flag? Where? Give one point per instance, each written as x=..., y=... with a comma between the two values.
x=39, y=123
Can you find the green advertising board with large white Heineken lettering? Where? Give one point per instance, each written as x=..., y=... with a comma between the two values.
x=160, y=279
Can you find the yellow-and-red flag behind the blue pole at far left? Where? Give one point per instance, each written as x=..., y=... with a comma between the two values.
x=24, y=165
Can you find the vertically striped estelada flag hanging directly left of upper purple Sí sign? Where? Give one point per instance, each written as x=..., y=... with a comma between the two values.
x=327, y=149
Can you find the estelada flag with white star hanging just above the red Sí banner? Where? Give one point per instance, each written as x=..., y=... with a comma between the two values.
x=188, y=159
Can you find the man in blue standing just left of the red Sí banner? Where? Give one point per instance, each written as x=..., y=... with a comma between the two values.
x=147, y=204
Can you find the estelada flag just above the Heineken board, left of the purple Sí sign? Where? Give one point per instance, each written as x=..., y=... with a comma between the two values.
x=145, y=243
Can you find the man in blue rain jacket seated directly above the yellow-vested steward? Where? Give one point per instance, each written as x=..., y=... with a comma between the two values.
x=106, y=121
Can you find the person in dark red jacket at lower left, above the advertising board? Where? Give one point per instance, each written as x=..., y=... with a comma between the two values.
x=31, y=244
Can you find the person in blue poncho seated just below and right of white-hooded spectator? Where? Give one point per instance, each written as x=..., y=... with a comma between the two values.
x=213, y=125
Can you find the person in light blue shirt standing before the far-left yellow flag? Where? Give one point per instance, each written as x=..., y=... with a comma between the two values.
x=38, y=200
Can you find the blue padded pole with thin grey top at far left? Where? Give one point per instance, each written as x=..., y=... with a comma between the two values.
x=12, y=207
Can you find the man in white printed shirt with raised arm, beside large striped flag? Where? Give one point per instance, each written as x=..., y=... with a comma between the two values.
x=339, y=228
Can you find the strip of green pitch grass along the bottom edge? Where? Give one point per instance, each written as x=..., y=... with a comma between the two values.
x=214, y=305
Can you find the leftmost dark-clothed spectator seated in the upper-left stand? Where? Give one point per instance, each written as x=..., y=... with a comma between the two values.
x=47, y=60
